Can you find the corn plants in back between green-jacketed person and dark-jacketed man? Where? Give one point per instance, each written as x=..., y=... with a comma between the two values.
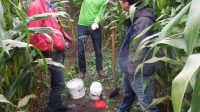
x=114, y=17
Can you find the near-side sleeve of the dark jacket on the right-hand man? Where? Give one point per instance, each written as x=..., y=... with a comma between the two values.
x=144, y=54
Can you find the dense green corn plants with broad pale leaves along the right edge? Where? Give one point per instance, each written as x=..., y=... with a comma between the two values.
x=179, y=39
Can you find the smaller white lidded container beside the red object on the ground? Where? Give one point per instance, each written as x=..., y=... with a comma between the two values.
x=95, y=90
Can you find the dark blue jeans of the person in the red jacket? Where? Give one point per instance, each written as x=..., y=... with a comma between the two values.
x=57, y=80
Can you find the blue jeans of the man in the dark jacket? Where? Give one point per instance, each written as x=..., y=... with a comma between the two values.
x=133, y=90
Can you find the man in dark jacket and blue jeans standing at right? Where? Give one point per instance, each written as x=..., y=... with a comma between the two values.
x=133, y=83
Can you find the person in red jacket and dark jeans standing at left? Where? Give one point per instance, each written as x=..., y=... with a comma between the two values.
x=56, y=52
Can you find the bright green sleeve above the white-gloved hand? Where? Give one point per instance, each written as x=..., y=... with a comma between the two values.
x=101, y=11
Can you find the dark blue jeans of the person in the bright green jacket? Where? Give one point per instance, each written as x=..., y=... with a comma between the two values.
x=96, y=39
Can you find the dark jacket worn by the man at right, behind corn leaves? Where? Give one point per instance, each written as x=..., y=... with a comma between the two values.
x=143, y=18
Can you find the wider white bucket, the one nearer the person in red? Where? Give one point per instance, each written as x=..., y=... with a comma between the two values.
x=76, y=88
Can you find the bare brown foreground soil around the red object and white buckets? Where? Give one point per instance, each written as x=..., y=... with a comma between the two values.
x=85, y=104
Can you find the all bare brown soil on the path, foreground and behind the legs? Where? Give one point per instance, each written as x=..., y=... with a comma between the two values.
x=85, y=104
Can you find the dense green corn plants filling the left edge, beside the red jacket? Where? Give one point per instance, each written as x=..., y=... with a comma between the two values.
x=18, y=65
